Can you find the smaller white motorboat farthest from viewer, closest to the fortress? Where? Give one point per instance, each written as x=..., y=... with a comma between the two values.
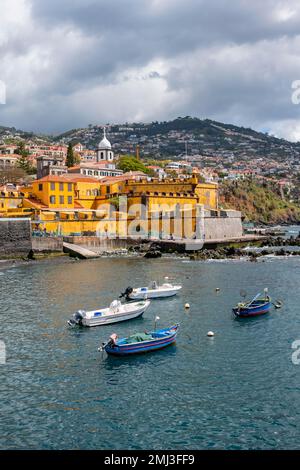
x=154, y=291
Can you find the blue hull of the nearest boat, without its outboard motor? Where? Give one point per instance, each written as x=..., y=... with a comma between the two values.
x=142, y=347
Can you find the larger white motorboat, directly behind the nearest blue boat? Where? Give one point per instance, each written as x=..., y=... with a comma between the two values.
x=116, y=312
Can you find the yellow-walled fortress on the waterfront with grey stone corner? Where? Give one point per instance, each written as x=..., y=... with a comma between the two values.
x=73, y=204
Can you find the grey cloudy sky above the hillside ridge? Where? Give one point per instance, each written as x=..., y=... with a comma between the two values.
x=69, y=63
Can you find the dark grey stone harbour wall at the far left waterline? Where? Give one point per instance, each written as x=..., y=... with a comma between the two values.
x=15, y=237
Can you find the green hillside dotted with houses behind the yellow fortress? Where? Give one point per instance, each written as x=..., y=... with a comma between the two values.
x=177, y=148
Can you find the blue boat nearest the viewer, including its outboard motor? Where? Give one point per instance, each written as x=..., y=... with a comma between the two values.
x=140, y=342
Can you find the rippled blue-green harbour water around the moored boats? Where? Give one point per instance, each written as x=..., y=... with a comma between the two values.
x=238, y=390
